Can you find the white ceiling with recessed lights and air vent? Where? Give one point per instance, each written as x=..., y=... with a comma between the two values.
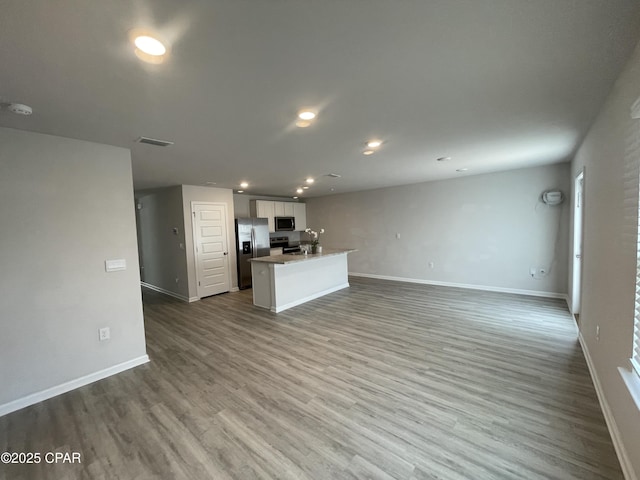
x=495, y=84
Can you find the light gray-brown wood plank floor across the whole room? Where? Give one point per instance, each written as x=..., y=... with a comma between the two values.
x=383, y=380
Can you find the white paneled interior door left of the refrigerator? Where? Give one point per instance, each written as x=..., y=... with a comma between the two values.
x=211, y=248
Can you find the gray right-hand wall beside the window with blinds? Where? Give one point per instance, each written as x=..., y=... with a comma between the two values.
x=609, y=250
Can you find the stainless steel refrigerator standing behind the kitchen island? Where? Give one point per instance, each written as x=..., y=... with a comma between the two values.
x=252, y=240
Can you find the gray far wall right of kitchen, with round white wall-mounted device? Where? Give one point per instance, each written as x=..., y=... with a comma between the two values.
x=485, y=230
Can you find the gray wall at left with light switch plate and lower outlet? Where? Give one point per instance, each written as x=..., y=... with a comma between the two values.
x=65, y=207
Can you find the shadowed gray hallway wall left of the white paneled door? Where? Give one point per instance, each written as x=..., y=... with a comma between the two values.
x=163, y=253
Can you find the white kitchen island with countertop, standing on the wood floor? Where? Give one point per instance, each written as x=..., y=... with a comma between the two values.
x=284, y=281
